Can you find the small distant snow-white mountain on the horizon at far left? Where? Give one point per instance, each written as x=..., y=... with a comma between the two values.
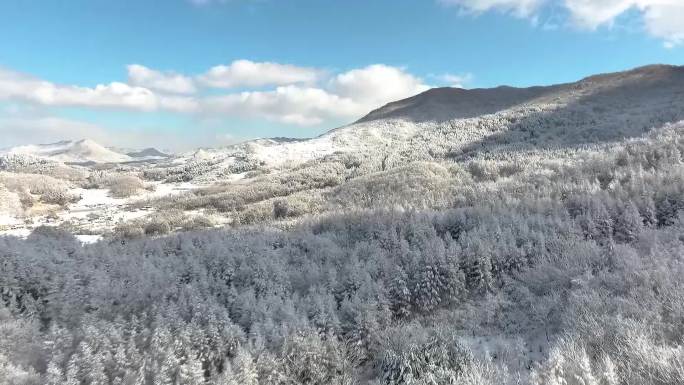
x=81, y=151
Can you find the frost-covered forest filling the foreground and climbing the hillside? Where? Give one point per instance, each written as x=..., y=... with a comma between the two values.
x=471, y=253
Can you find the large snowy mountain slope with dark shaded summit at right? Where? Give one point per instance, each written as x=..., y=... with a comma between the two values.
x=452, y=122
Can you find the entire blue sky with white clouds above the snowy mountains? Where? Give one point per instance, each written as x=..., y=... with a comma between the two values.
x=184, y=73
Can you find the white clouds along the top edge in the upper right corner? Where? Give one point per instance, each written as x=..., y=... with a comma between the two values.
x=662, y=18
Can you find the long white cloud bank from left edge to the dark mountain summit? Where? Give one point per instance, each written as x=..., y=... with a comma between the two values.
x=300, y=96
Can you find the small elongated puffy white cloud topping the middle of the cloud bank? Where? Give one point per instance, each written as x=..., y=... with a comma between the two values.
x=246, y=73
